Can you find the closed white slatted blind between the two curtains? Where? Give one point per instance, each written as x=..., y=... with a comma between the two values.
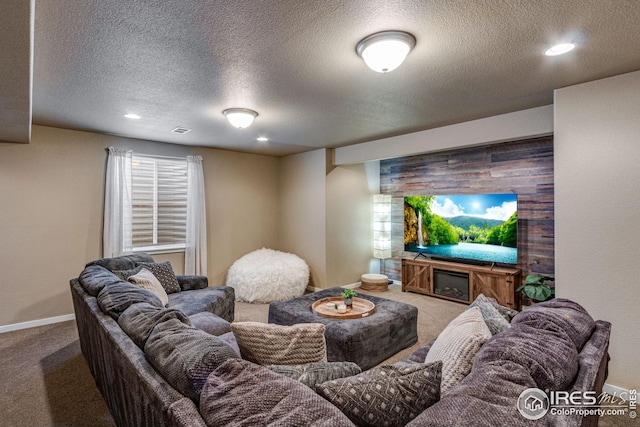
x=159, y=203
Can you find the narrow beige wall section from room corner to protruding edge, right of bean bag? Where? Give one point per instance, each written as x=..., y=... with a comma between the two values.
x=303, y=211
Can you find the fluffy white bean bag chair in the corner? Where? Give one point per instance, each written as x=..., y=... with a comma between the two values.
x=267, y=275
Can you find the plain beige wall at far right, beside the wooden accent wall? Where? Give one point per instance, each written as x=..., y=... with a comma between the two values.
x=597, y=185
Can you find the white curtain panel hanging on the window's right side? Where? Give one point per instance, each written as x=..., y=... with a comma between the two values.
x=195, y=257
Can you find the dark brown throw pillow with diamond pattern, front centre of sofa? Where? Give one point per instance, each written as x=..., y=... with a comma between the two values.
x=386, y=395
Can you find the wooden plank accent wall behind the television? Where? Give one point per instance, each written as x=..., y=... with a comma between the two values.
x=521, y=167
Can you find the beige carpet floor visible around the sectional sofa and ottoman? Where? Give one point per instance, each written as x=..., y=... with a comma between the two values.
x=44, y=380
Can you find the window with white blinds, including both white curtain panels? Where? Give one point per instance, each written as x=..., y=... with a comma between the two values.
x=154, y=204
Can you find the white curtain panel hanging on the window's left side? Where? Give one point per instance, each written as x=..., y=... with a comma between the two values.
x=117, y=204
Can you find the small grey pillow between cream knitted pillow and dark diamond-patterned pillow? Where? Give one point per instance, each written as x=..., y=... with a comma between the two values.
x=312, y=374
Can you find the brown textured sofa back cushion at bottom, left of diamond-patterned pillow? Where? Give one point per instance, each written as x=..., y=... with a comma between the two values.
x=241, y=393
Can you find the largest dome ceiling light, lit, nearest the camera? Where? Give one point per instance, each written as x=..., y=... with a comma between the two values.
x=385, y=51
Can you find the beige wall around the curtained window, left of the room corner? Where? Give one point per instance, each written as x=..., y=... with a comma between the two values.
x=51, y=200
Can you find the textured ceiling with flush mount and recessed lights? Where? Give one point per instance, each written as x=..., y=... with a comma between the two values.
x=181, y=62
